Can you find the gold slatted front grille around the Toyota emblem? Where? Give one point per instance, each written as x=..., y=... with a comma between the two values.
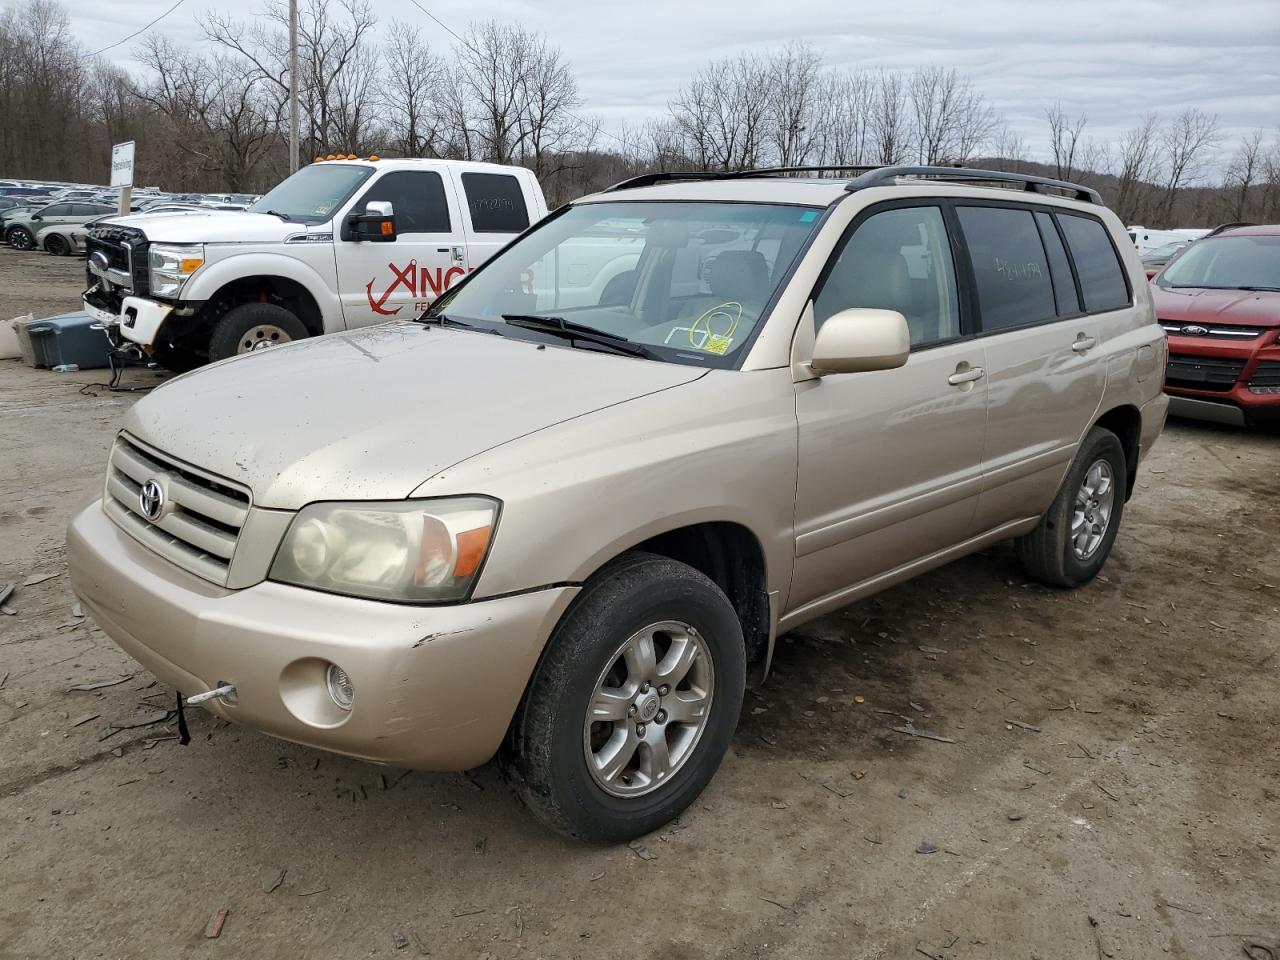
x=200, y=523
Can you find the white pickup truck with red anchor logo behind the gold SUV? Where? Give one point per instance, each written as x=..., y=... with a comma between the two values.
x=341, y=244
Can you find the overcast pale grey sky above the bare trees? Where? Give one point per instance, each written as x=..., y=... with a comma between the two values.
x=1114, y=60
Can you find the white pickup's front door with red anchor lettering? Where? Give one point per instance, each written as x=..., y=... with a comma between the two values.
x=397, y=281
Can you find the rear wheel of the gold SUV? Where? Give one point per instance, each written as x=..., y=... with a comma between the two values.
x=1075, y=538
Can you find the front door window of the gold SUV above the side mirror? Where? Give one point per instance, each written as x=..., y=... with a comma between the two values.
x=898, y=260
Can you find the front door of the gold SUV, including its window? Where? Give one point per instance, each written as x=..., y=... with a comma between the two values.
x=890, y=461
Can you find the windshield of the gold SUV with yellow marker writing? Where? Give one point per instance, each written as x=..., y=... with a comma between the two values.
x=688, y=281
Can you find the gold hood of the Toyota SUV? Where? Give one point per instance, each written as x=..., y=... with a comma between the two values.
x=372, y=414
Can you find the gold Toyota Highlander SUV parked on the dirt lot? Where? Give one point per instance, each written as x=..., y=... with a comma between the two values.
x=564, y=516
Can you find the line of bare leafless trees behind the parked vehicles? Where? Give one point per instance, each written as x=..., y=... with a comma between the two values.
x=216, y=117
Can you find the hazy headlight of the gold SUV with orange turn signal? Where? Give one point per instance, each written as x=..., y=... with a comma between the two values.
x=406, y=551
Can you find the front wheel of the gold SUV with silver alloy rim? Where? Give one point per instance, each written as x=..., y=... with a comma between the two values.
x=634, y=703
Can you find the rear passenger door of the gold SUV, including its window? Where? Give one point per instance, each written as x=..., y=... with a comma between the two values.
x=1045, y=369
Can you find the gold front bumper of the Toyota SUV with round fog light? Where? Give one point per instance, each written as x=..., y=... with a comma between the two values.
x=436, y=688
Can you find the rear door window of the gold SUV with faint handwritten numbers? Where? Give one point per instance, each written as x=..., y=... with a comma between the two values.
x=1011, y=268
